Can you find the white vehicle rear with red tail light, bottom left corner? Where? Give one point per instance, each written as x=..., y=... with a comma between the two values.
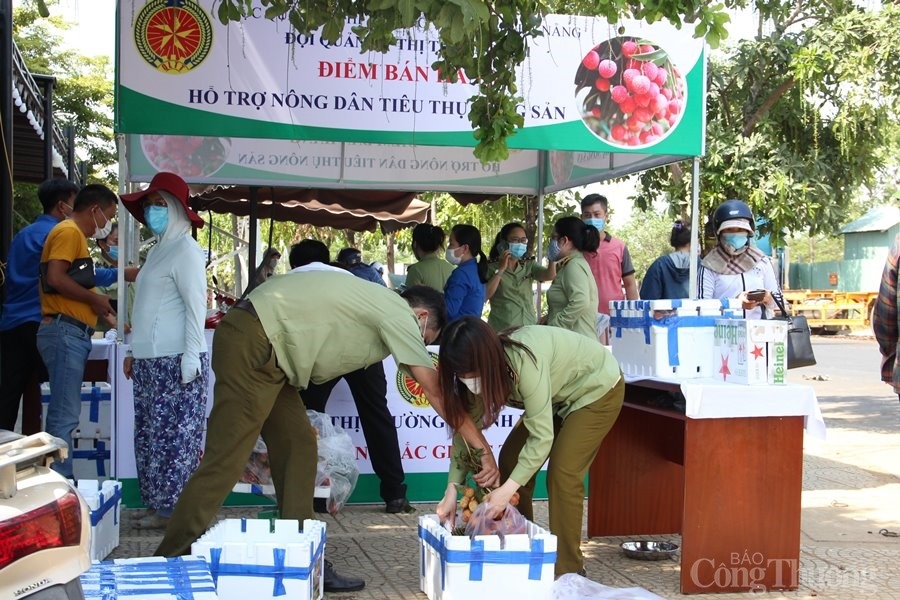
x=45, y=528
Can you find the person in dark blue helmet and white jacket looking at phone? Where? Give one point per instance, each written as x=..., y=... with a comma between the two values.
x=734, y=266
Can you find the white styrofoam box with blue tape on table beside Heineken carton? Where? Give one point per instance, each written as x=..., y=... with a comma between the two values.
x=667, y=339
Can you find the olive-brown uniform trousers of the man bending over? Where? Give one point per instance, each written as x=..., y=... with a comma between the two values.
x=251, y=398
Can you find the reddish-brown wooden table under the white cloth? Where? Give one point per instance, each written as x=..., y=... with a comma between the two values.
x=730, y=486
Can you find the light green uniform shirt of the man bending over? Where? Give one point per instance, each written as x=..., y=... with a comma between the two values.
x=323, y=324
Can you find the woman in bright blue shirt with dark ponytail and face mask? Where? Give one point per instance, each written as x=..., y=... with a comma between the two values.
x=464, y=292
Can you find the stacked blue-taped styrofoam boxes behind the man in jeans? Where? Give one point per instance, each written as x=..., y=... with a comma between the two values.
x=92, y=438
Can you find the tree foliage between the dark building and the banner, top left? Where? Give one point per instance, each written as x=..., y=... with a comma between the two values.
x=83, y=95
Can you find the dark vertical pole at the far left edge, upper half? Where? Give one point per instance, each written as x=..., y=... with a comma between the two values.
x=6, y=128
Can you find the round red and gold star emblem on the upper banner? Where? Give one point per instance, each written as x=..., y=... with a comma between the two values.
x=174, y=36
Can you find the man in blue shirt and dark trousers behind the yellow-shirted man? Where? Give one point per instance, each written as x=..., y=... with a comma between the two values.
x=21, y=367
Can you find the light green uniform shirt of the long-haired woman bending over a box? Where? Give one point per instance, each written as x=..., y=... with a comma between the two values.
x=569, y=371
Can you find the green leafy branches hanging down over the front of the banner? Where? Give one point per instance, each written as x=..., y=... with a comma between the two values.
x=483, y=41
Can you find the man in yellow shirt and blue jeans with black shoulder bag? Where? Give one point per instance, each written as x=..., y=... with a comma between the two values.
x=70, y=306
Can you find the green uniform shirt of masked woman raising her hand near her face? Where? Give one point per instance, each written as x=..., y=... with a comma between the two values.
x=512, y=305
